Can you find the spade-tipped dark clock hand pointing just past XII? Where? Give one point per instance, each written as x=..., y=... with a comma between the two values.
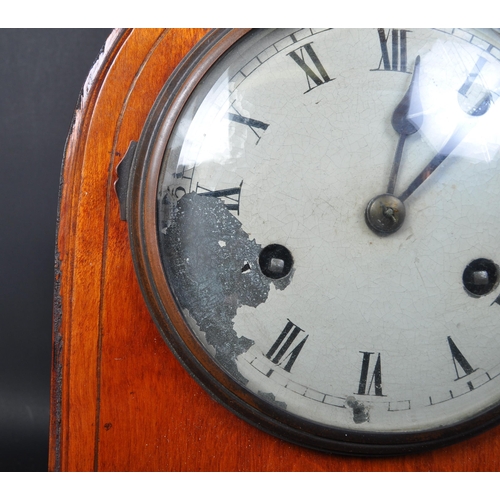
x=406, y=120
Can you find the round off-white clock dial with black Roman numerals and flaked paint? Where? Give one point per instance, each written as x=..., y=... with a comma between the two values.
x=271, y=255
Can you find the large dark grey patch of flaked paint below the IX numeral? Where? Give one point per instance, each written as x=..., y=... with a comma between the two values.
x=212, y=280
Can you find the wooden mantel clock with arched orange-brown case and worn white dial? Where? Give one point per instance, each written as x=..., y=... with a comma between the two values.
x=306, y=218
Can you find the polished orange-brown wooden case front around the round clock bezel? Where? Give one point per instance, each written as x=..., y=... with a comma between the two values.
x=120, y=399
